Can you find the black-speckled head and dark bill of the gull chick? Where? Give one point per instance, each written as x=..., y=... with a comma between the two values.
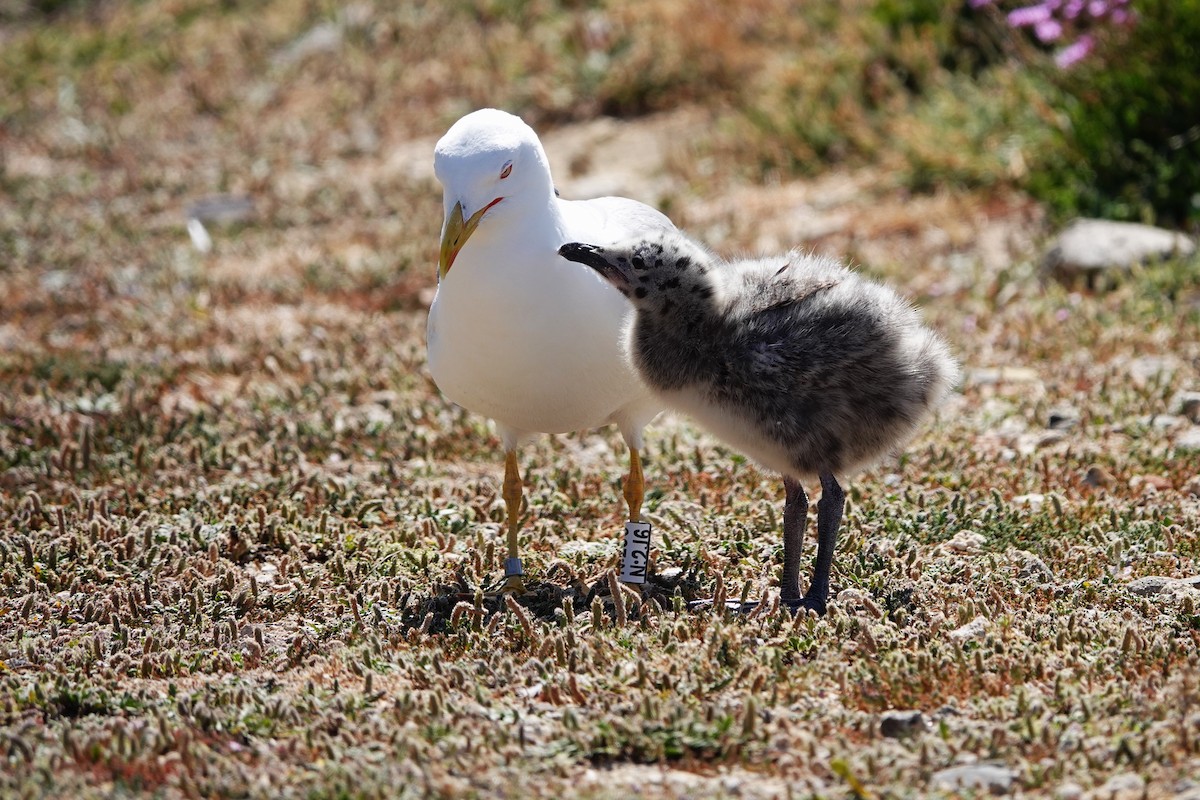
x=665, y=276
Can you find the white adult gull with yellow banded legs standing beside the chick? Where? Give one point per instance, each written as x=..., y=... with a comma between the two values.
x=517, y=333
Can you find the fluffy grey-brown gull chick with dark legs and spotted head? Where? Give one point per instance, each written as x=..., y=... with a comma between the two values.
x=801, y=364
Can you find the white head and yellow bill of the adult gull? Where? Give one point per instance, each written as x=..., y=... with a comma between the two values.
x=490, y=164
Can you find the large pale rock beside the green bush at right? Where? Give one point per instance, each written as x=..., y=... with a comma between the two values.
x=1090, y=246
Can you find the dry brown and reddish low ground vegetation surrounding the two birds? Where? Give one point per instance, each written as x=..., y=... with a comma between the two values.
x=243, y=536
